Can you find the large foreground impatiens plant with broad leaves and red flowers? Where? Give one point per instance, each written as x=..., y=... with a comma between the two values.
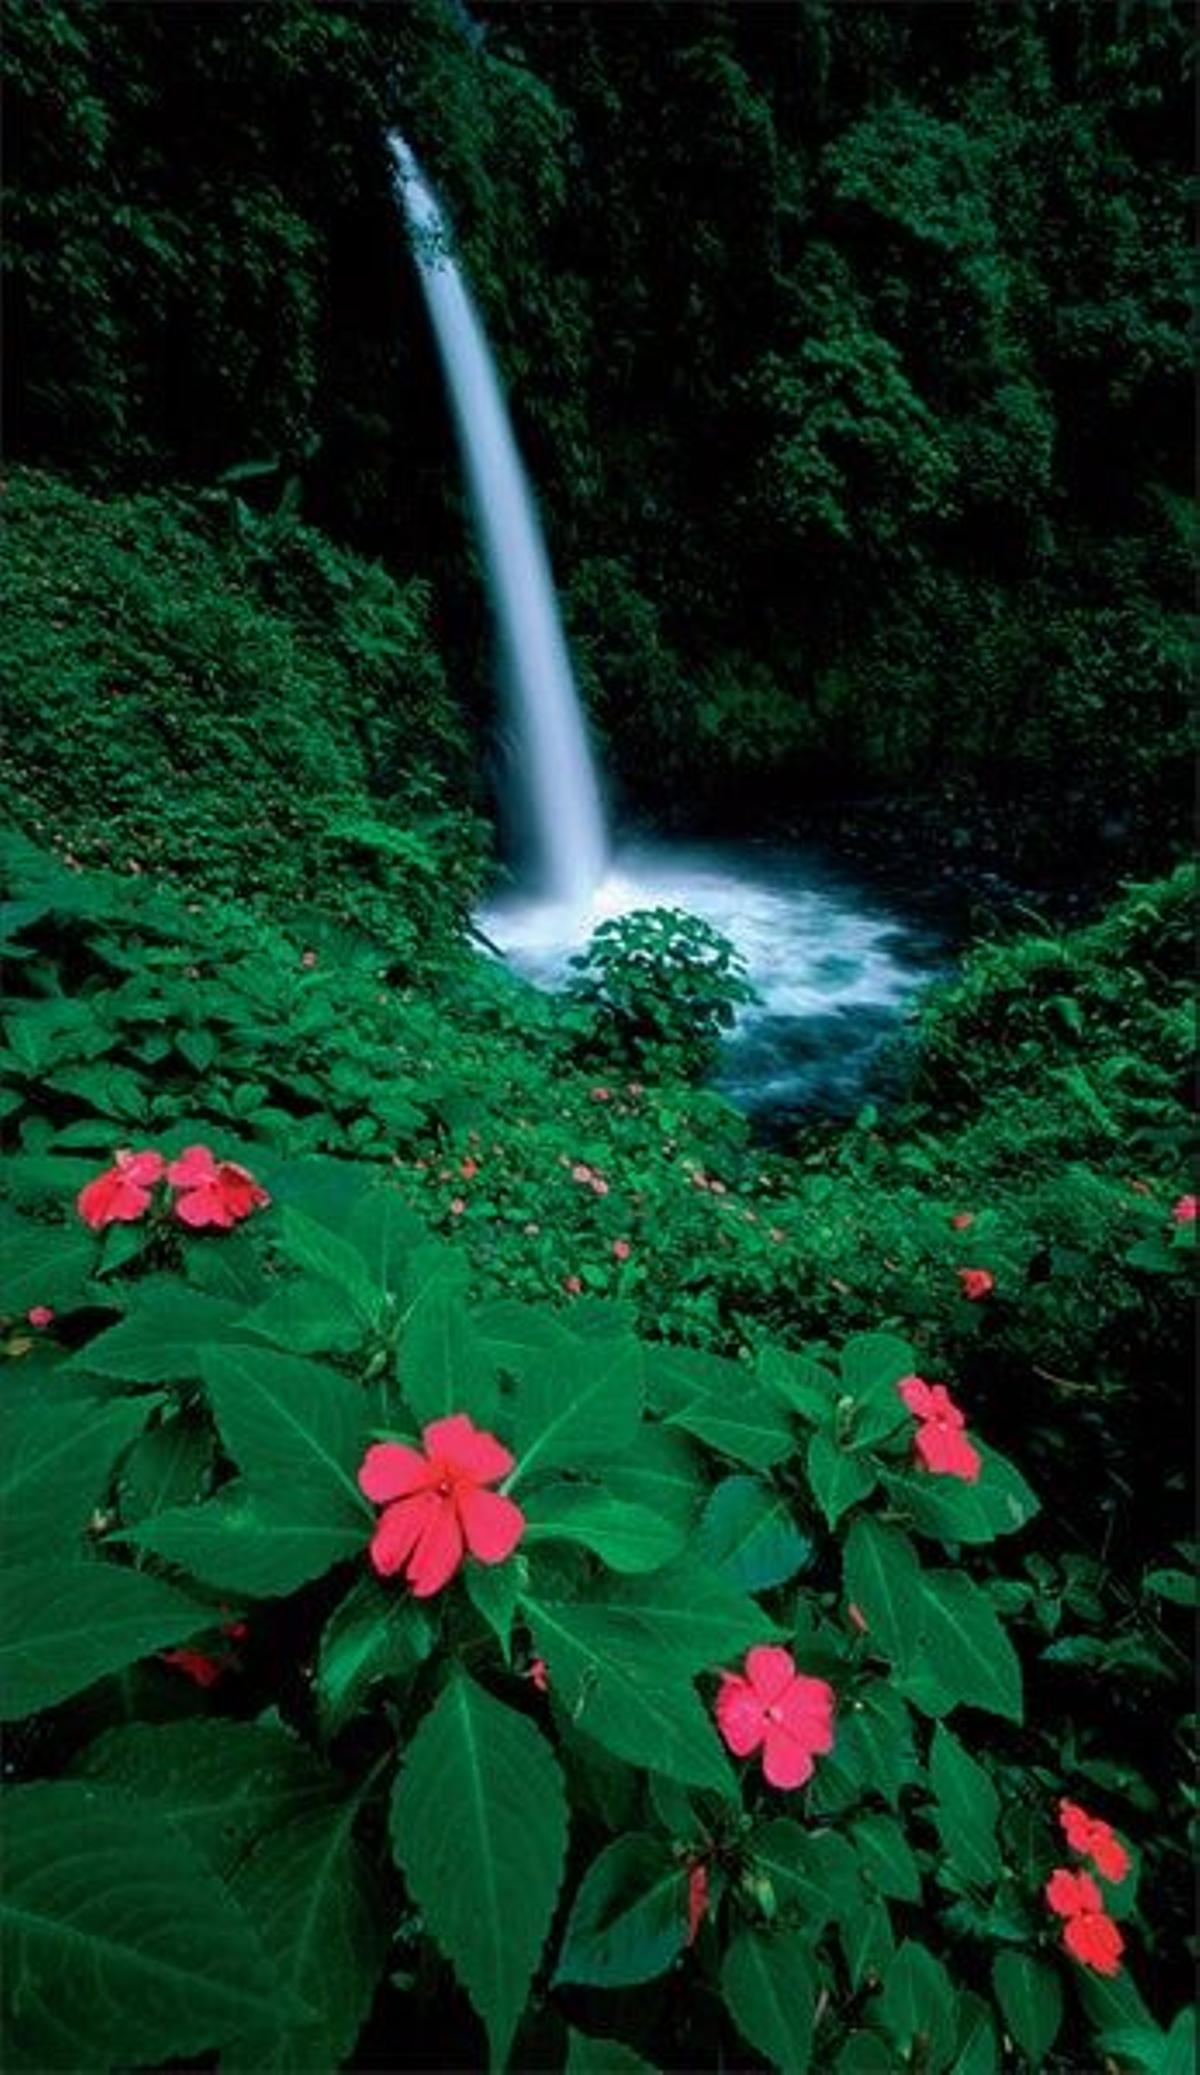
x=522, y=1586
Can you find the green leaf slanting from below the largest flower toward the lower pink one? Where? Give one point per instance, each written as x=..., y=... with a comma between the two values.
x=628, y=1696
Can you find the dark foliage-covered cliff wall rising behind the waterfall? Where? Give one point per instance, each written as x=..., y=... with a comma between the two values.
x=908, y=501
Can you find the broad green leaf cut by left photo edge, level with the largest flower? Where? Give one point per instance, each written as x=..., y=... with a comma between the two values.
x=57, y=1466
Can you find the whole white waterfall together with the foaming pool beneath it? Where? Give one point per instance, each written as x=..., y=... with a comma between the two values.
x=834, y=966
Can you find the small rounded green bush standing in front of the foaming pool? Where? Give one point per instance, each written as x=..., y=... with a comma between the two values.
x=663, y=989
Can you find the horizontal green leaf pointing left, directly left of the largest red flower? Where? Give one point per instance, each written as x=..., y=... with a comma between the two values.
x=256, y=1543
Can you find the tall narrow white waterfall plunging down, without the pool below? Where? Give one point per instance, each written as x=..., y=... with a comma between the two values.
x=560, y=806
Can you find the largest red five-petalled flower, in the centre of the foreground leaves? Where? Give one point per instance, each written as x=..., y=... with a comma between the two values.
x=437, y=1507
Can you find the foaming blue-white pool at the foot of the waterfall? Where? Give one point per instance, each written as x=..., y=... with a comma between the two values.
x=836, y=964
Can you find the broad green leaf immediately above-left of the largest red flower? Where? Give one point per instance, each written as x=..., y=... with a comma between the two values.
x=298, y=1424
